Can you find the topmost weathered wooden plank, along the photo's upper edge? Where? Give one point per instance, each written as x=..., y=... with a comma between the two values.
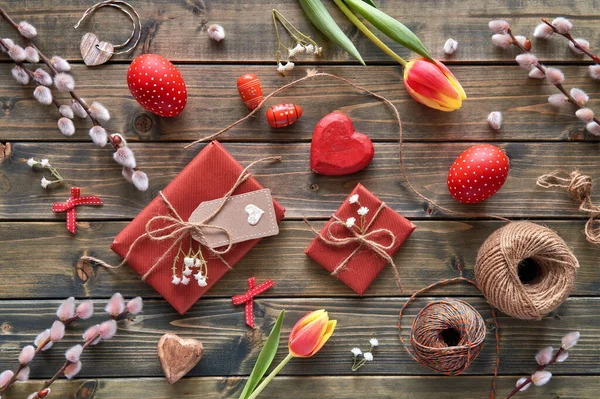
x=177, y=29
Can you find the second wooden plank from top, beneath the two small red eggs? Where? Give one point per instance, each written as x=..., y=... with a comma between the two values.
x=214, y=103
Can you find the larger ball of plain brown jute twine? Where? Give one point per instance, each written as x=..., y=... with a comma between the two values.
x=519, y=245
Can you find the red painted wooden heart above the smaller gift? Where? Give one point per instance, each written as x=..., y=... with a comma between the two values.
x=336, y=149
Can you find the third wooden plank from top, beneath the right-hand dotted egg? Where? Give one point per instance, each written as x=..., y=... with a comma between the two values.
x=302, y=192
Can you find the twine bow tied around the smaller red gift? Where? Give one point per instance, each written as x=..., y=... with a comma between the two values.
x=365, y=238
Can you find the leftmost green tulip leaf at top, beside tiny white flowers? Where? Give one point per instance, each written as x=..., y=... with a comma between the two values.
x=319, y=16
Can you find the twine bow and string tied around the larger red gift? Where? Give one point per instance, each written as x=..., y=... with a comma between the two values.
x=177, y=229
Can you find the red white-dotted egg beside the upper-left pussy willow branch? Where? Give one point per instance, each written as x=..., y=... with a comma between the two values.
x=157, y=85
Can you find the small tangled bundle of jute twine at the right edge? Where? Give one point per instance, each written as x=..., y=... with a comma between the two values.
x=579, y=188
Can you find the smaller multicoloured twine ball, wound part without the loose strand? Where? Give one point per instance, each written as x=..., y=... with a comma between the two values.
x=447, y=335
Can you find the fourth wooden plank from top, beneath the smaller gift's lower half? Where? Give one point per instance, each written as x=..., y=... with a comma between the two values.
x=434, y=252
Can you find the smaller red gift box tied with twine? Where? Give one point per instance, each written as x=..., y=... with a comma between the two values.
x=339, y=250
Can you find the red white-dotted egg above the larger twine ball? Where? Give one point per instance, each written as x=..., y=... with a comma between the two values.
x=478, y=173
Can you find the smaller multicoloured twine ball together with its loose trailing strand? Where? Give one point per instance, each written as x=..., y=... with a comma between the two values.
x=429, y=347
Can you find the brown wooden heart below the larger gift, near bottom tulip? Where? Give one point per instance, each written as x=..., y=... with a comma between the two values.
x=178, y=356
